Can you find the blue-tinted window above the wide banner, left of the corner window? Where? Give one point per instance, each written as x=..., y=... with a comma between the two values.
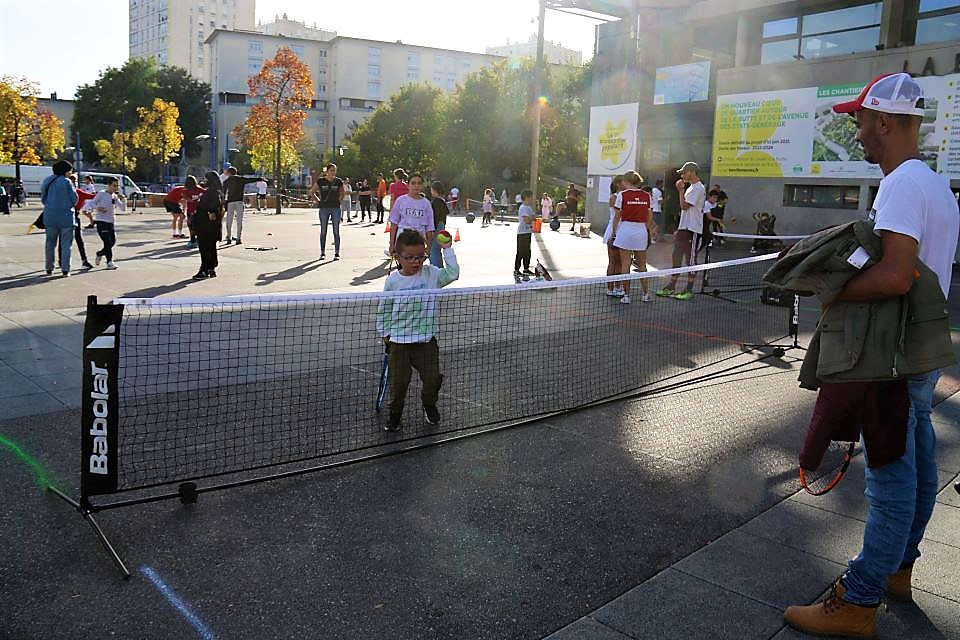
x=823, y=34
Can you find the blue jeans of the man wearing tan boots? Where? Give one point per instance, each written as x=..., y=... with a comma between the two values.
x=901, y=496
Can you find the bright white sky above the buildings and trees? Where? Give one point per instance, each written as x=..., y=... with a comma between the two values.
x=60, y=56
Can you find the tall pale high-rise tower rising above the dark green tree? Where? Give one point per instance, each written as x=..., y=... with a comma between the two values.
x=172, y=32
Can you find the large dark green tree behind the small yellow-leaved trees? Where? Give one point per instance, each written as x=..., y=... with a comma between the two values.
x=111, y=103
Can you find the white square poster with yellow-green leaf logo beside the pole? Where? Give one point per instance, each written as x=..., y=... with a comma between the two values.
x=612, y=147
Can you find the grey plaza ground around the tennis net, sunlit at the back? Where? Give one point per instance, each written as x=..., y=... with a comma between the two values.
x=670, y=516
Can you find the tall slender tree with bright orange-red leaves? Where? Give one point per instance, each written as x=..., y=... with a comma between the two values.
x=285, y=90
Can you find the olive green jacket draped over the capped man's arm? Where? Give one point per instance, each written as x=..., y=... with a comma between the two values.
x=864, y=341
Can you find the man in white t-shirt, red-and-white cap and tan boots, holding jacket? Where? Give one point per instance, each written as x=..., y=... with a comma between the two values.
x=916, y=217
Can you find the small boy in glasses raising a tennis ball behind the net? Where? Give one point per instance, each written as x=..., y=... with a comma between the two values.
x=408, y=324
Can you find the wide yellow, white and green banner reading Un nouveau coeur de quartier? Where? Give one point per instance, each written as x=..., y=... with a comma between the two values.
x=796, y=133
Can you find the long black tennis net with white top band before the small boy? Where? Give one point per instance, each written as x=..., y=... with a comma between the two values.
x=203, y=388
